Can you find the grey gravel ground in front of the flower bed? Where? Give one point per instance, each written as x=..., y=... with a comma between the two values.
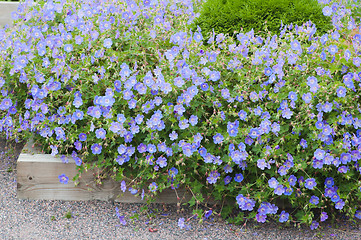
x=37, y=219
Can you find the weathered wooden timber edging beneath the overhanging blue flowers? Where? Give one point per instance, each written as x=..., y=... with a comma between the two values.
x=37, y=178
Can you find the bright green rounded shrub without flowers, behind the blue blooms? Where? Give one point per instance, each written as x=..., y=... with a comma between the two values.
x=228, y=16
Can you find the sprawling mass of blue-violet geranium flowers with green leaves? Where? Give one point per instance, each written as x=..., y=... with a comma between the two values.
x=126, y=87
